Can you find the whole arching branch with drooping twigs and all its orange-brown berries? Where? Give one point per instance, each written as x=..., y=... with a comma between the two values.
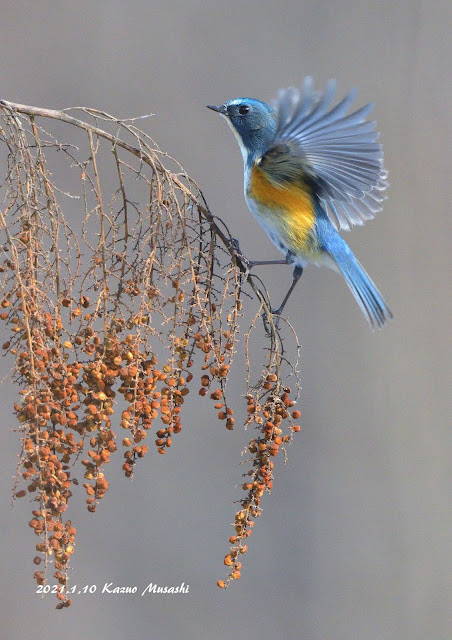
x=113, y=313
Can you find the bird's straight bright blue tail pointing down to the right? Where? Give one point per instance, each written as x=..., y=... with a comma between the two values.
x=366, y=293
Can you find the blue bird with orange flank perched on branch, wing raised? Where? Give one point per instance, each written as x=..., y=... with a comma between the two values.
x=310, y=170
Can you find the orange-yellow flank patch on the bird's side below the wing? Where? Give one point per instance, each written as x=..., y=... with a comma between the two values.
x=285, y=209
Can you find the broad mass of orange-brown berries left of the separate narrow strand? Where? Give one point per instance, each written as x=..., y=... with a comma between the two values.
x=68, y=406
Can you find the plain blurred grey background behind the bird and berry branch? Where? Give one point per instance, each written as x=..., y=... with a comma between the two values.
x=353, y=542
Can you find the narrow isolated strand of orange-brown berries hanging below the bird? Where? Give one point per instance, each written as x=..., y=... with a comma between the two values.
x=267, y=412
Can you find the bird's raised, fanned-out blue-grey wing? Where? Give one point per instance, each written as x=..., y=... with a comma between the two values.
x=339, y=151
